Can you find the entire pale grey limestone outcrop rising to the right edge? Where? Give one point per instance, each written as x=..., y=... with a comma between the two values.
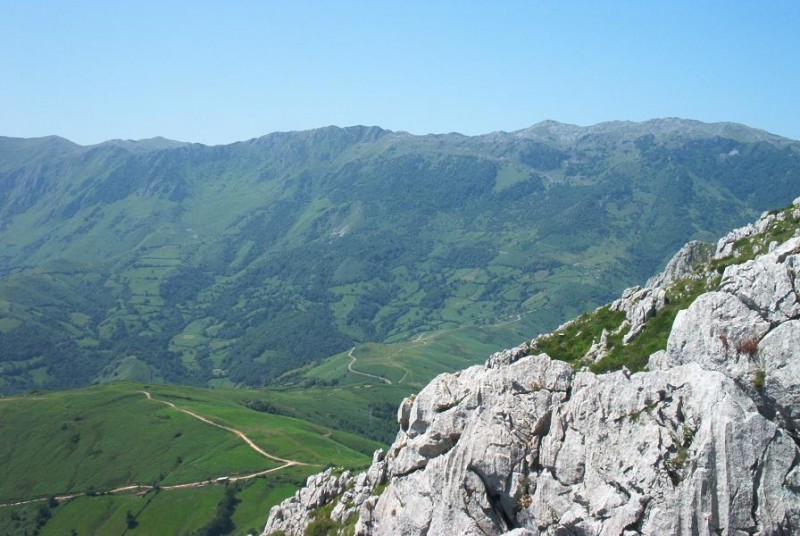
x=704, y=442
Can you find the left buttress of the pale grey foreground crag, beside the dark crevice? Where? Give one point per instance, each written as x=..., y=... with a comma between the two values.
x=443, y=484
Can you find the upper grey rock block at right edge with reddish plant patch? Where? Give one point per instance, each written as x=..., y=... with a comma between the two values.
x=748, y=331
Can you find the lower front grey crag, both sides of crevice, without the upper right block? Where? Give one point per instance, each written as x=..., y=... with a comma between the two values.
x=682, y=451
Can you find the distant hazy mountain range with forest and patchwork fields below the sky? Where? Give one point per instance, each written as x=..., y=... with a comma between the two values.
x=235, y=265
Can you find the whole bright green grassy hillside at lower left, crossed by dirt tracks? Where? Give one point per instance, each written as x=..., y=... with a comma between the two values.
x=92, y=442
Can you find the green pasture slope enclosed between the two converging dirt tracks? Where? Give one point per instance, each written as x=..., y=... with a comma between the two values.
x=101, y=438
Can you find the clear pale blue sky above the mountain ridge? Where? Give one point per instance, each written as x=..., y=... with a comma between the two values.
x=218, y=72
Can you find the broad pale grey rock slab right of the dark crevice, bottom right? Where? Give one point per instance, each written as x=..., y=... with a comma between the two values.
x=669, y=452
